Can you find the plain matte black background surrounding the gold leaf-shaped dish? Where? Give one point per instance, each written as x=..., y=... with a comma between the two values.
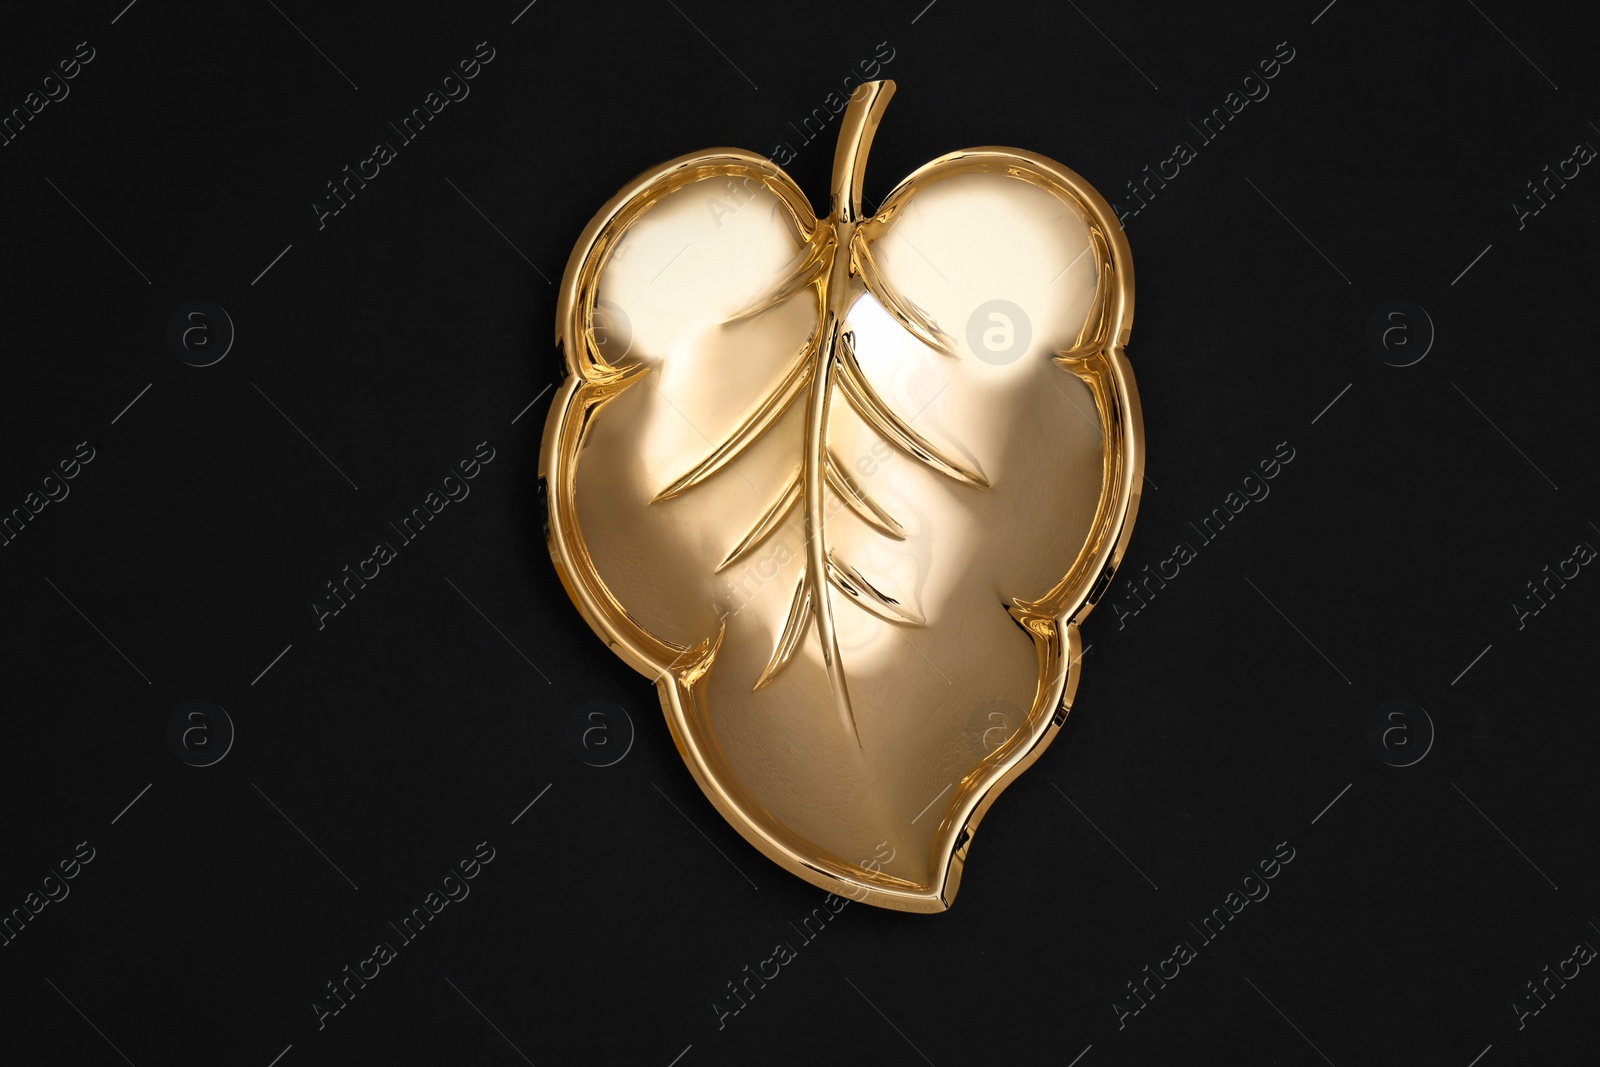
x=425, y=717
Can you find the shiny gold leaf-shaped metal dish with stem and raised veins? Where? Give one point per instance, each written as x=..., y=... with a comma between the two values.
x=850, y=549
